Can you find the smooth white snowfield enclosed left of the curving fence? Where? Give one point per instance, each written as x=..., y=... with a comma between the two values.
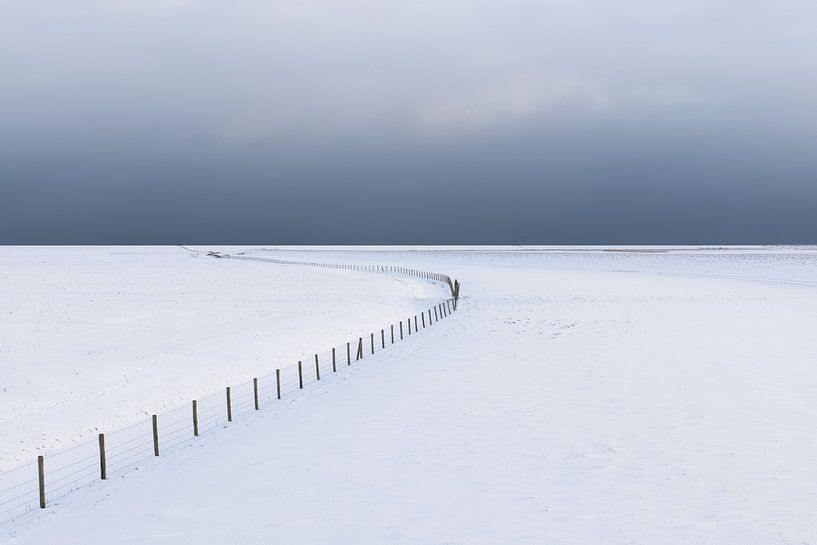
x=94, y=339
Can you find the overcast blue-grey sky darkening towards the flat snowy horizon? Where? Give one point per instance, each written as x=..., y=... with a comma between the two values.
x=422, y=122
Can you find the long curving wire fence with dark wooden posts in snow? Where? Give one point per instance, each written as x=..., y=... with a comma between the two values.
x=53, y=476
